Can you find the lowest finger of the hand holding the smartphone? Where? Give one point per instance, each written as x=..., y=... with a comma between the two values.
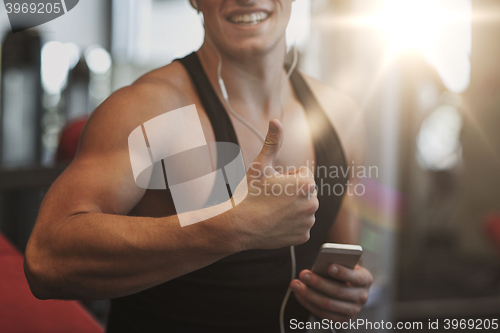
x=324, y=302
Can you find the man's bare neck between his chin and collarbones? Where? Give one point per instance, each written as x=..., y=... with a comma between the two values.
x=253, y=82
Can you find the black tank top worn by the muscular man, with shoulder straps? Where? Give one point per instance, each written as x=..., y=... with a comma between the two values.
x=244, y=291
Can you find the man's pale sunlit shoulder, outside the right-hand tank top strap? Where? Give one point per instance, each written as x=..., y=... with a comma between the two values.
x=345, y=116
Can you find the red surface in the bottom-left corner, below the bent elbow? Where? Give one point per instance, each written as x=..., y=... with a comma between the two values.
x=21, y=312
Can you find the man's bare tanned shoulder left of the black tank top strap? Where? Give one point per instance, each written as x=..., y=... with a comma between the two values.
x=159, y=91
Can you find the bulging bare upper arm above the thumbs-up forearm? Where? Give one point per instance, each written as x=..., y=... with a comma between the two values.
x=100, y=178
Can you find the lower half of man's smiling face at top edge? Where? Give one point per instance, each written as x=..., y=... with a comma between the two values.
x=244, y=27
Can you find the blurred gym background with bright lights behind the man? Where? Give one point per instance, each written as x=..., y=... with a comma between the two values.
x=426, y=74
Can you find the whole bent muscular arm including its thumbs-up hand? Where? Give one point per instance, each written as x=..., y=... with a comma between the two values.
x=84, y=246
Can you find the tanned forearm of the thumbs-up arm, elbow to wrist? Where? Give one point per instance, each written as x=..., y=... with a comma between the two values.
x=96, y=256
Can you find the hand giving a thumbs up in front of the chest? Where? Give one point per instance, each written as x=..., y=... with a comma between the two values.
x=279, y=208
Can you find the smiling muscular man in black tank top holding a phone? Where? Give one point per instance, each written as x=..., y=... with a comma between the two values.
x=98, y=235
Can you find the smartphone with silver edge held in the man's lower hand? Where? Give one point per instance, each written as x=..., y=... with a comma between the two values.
x=331, y=253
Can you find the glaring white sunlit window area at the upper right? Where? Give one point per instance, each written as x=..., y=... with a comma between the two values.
x=439, y=29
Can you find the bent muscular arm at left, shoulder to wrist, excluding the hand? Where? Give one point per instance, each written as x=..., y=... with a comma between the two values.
x=84, y=246
